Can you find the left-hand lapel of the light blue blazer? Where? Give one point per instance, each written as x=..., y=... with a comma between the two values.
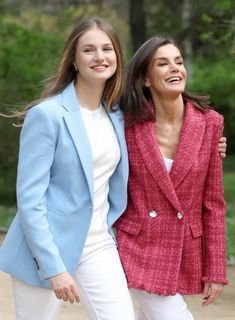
x=74, y=122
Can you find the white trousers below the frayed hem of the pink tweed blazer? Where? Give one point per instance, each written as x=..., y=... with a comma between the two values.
x=158, y=307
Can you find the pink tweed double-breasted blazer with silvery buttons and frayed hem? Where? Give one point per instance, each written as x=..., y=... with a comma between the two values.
x=171, y=238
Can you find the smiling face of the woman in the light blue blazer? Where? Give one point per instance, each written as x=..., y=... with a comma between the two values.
x=95, y=57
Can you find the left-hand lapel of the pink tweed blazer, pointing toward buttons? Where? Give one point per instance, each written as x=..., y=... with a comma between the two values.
x=151, y=155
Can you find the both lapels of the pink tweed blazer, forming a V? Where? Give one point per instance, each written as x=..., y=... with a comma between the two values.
x=189, y=145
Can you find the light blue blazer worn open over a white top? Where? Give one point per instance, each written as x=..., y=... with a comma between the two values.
x=55, y=191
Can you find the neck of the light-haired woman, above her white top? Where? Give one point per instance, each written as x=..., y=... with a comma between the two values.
x=89, y=96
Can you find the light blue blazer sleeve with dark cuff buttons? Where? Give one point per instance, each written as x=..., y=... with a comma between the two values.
x=37, y=146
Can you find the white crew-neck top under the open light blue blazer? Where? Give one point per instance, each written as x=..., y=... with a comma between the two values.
x=105, y=155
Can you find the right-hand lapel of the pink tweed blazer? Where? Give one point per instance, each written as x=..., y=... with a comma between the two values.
x=189, y=144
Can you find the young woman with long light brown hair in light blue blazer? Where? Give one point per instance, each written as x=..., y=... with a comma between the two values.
x=71, y=187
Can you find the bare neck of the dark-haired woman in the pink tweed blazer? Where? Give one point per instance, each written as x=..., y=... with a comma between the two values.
x=169, y=110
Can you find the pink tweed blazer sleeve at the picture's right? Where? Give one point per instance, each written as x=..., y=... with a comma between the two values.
x=214, y=209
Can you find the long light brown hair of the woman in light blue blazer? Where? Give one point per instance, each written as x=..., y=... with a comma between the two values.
x=67, y=73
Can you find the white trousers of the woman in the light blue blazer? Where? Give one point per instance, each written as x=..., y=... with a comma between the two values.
x=101, y=284
